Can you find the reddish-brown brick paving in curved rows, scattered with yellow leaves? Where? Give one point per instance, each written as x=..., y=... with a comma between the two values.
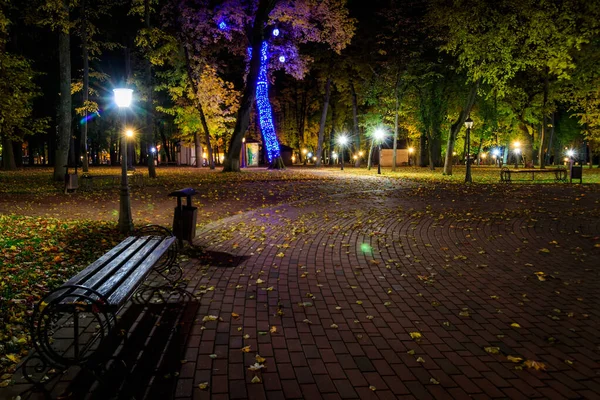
x=413, y=291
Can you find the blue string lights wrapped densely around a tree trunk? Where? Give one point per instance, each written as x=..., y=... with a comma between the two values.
x=265, y=114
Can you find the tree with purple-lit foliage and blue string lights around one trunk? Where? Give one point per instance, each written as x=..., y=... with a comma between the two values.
x=267, y=33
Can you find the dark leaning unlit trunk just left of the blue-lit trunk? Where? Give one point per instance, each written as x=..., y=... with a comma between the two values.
x=232, y=161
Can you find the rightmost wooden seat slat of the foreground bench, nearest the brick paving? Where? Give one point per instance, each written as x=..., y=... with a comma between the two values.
x=126, y=287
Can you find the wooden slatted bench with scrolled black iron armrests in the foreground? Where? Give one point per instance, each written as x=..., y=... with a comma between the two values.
x=76, y=323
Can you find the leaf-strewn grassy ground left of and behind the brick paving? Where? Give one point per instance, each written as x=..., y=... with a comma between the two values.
x=46, y=236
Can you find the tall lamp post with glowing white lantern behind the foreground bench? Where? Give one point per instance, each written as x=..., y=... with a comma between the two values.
x=123, y=99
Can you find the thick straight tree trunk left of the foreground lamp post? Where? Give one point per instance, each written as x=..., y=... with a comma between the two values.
x=64, y=108
